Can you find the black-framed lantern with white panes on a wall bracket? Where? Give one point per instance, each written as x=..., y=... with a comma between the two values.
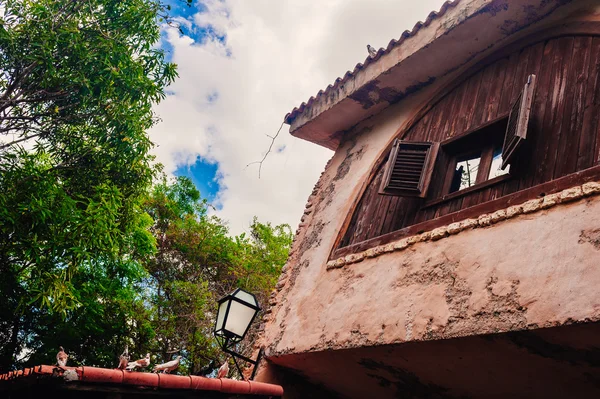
x=234, y=317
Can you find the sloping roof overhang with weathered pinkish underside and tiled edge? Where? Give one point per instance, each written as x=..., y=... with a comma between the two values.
x=460, y=34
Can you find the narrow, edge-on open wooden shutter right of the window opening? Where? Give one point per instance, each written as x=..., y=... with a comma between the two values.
x=518, y=121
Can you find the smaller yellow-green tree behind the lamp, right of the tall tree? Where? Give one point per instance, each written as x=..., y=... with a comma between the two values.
x=197, y=263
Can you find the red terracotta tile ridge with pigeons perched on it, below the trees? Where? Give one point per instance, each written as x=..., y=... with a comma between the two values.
x=96, y=375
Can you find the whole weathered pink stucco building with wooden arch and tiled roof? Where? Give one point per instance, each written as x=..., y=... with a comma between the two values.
x=451, y=247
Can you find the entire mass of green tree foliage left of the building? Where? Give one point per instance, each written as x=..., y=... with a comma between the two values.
x=92, y=255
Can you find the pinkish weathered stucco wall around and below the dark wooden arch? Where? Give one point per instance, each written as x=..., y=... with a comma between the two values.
x=535, y=270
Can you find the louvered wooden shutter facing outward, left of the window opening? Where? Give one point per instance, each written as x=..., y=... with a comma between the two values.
x=409, y=168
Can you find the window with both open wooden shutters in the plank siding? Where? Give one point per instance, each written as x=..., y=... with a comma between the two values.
x=471, y=159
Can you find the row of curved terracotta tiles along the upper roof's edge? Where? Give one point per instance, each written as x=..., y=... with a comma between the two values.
x=370, y=59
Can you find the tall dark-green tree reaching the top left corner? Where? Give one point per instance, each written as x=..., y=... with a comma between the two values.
x=77, y=83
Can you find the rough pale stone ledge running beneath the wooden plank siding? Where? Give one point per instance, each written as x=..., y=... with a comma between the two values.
x=485, y=220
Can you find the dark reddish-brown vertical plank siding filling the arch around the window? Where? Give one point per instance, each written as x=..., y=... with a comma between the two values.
x=563, y=137
